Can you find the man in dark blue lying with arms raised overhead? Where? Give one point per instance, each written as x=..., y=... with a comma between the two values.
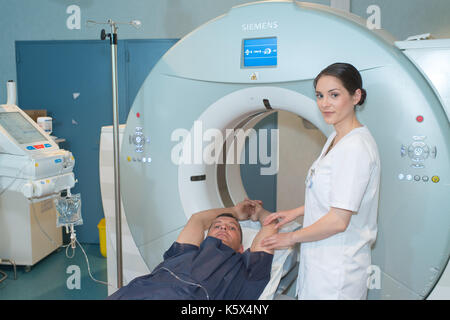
x=215, y=268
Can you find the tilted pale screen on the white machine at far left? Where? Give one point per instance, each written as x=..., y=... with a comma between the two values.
x=20, y=128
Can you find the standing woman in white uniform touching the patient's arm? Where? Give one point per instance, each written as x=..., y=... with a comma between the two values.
x=341, y=200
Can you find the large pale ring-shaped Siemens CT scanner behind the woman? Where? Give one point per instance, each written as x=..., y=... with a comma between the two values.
x=218, y=76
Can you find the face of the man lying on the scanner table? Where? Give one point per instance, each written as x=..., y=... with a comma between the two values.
x=227, y=230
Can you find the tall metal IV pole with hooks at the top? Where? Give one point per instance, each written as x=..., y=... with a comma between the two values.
x=118, y=214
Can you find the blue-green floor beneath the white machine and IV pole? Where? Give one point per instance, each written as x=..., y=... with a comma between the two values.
x=58, y=277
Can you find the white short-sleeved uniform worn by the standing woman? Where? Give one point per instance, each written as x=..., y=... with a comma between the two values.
x=347, y=177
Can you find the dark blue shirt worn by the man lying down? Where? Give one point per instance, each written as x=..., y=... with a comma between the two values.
x=211, y=271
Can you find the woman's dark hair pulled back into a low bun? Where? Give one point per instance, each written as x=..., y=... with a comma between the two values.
x=349, y=76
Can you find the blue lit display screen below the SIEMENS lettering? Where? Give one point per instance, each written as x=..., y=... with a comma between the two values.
x=260, y=52
